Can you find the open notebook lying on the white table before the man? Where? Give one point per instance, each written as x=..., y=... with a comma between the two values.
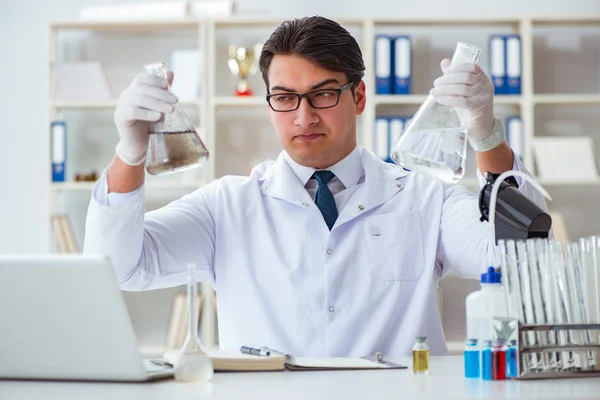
x=235, y=361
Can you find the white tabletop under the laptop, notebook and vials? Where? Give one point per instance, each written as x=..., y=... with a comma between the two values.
x=445, y=381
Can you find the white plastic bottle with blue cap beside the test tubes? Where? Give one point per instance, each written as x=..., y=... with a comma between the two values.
x=485, y=304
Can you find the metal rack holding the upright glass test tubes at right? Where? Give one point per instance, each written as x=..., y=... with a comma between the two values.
x=524, y=349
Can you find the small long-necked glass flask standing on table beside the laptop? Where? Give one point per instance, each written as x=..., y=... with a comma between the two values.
x=193, y=364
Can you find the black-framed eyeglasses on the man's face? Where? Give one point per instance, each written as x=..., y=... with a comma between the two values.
x=320, y=98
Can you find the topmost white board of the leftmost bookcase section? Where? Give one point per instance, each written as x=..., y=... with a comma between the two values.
x=184, y=23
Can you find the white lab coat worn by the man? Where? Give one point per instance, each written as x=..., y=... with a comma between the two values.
x=284, y=280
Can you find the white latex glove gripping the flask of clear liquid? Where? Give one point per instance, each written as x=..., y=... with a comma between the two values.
x=468, y=88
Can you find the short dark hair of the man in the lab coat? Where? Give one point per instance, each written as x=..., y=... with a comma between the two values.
x=319, y=40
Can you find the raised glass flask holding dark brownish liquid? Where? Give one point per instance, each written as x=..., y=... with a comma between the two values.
x=173, y=144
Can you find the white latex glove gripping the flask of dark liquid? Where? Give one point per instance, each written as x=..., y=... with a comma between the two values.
x=140, y=105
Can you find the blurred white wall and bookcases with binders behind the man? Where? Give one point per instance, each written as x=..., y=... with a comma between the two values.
x=62, y=72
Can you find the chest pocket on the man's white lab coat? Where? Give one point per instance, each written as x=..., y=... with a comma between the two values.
x=395, y=244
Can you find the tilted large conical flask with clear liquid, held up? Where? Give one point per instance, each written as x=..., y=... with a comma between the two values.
x=434, y=142
